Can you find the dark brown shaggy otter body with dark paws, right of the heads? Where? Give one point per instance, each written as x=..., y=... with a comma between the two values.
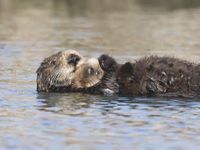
x=154, y=76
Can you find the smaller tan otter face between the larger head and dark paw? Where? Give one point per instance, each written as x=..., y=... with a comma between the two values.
x=87, y=74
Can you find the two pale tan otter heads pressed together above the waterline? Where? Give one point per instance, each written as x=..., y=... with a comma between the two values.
x=68, y=71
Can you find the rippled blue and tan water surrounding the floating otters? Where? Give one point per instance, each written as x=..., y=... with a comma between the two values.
x=127, y=30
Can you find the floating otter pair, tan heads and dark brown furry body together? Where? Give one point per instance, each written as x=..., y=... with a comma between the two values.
x=69, y=71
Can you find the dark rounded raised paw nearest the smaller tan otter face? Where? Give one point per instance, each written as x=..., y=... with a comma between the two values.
x=107, y=63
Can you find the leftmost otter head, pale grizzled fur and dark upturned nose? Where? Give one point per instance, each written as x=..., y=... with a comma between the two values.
x=57, y=70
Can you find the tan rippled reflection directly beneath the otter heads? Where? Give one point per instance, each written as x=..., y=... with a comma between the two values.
x=66, y=103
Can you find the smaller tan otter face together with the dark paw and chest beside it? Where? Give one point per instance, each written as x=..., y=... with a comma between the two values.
x=88, y=82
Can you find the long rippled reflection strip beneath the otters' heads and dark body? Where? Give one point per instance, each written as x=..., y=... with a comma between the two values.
x=72, y=102
